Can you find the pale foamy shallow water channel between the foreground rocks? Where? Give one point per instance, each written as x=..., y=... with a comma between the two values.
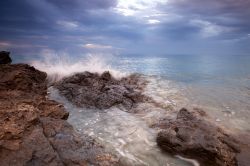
x=125, y=134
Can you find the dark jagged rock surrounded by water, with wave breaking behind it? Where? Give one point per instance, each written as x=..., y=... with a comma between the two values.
x=102, y=91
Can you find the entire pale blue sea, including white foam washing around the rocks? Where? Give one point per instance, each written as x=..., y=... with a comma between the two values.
x=217, y=84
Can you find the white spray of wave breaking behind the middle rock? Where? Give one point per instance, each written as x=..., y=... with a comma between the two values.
x=60, y=66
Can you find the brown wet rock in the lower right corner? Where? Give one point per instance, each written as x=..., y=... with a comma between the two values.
x=192, y=136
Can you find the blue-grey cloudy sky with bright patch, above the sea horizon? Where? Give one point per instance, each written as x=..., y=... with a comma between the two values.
x=136, y=27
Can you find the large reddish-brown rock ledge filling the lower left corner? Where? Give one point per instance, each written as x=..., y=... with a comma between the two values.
x=34, y=130
